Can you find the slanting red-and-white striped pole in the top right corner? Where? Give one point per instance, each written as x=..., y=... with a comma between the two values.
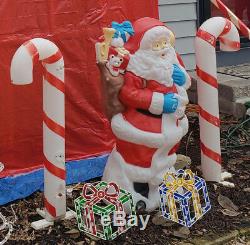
x=230, y=15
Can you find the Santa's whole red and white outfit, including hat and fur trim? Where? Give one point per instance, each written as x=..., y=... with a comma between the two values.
x=147, y=138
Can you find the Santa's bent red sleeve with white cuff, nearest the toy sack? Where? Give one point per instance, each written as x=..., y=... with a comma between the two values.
x=134, y=94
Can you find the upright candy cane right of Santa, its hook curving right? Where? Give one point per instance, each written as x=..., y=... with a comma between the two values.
x=205, y=42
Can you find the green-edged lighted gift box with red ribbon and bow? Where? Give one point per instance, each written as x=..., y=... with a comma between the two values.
x=99, y=204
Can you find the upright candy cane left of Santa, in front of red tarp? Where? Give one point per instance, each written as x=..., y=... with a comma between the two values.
x=26, y=56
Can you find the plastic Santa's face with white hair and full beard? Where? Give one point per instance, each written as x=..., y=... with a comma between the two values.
x=155, y=58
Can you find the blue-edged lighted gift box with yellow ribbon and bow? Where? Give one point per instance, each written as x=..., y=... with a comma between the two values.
x=184, y=197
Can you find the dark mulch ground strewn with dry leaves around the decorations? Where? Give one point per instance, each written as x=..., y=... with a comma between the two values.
x=225, y=216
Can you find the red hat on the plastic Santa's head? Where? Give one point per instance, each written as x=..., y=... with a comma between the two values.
x=141, y=26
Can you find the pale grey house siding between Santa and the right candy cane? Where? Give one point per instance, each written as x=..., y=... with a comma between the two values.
x=181, y=17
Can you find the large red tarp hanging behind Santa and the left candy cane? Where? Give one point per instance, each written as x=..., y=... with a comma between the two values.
x=73, y=25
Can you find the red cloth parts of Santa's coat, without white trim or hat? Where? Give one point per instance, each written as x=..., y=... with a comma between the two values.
x=136, y=95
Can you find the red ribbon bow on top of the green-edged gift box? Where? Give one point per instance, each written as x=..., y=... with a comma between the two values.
x=97, y=195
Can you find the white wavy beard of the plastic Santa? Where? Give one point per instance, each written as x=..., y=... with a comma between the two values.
x=154, y=65
